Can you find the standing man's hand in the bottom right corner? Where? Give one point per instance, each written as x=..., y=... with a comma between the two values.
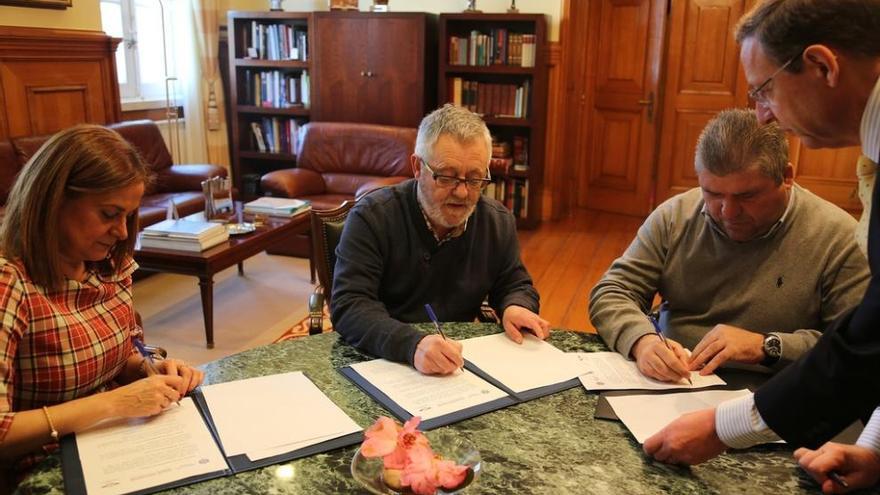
x=858, y=466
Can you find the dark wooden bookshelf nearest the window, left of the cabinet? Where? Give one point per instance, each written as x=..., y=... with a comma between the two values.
x=248, y=162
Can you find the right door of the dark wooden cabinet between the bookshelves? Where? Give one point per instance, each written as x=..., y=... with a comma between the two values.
x=396, y=70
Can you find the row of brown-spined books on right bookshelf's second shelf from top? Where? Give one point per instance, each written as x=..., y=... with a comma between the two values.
x=491, y=99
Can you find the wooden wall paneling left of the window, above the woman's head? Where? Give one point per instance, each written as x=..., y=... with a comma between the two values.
x=53, y=79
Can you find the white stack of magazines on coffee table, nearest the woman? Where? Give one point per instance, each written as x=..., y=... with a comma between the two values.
x=184, y=235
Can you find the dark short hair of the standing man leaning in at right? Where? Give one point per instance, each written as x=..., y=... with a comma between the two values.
x=786, y=27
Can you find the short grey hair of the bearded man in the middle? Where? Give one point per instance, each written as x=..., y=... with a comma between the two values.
x=459, y=123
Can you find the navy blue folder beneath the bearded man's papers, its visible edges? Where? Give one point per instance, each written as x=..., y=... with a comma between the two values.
x=470, y=412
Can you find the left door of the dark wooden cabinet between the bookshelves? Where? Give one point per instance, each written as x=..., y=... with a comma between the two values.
x=340, y=64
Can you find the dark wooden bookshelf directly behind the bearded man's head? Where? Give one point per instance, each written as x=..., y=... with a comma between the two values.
x=495, y=74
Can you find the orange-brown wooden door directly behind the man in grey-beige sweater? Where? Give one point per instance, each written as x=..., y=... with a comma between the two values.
x=703, y=76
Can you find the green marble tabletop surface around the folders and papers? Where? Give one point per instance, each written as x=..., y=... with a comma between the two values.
x=548, y=445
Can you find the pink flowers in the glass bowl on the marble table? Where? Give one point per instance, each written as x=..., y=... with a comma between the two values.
x=408, y=459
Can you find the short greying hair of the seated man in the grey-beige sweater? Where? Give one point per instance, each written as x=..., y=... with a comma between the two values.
x=734, y=141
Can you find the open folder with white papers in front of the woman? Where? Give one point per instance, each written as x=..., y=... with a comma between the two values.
x=222, y=429
